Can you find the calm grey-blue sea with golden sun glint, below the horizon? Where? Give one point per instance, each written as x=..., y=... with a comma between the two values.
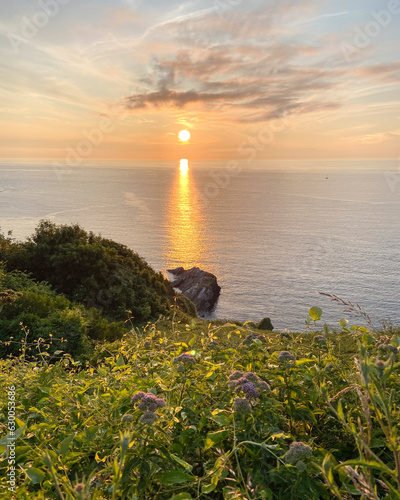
x=275, y=234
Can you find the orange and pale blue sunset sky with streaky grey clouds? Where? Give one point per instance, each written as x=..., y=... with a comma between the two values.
x=250, y=79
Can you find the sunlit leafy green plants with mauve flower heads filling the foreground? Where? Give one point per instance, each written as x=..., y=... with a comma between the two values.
x=204, y=412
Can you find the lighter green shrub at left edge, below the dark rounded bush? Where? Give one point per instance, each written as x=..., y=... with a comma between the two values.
x=30, y=311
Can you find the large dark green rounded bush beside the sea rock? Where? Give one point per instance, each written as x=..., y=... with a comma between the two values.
x=94, y=271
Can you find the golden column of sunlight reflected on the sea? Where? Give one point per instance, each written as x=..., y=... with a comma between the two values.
x=187, y=245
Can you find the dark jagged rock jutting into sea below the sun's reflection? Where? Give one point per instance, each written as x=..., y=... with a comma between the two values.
x=199, y=286
